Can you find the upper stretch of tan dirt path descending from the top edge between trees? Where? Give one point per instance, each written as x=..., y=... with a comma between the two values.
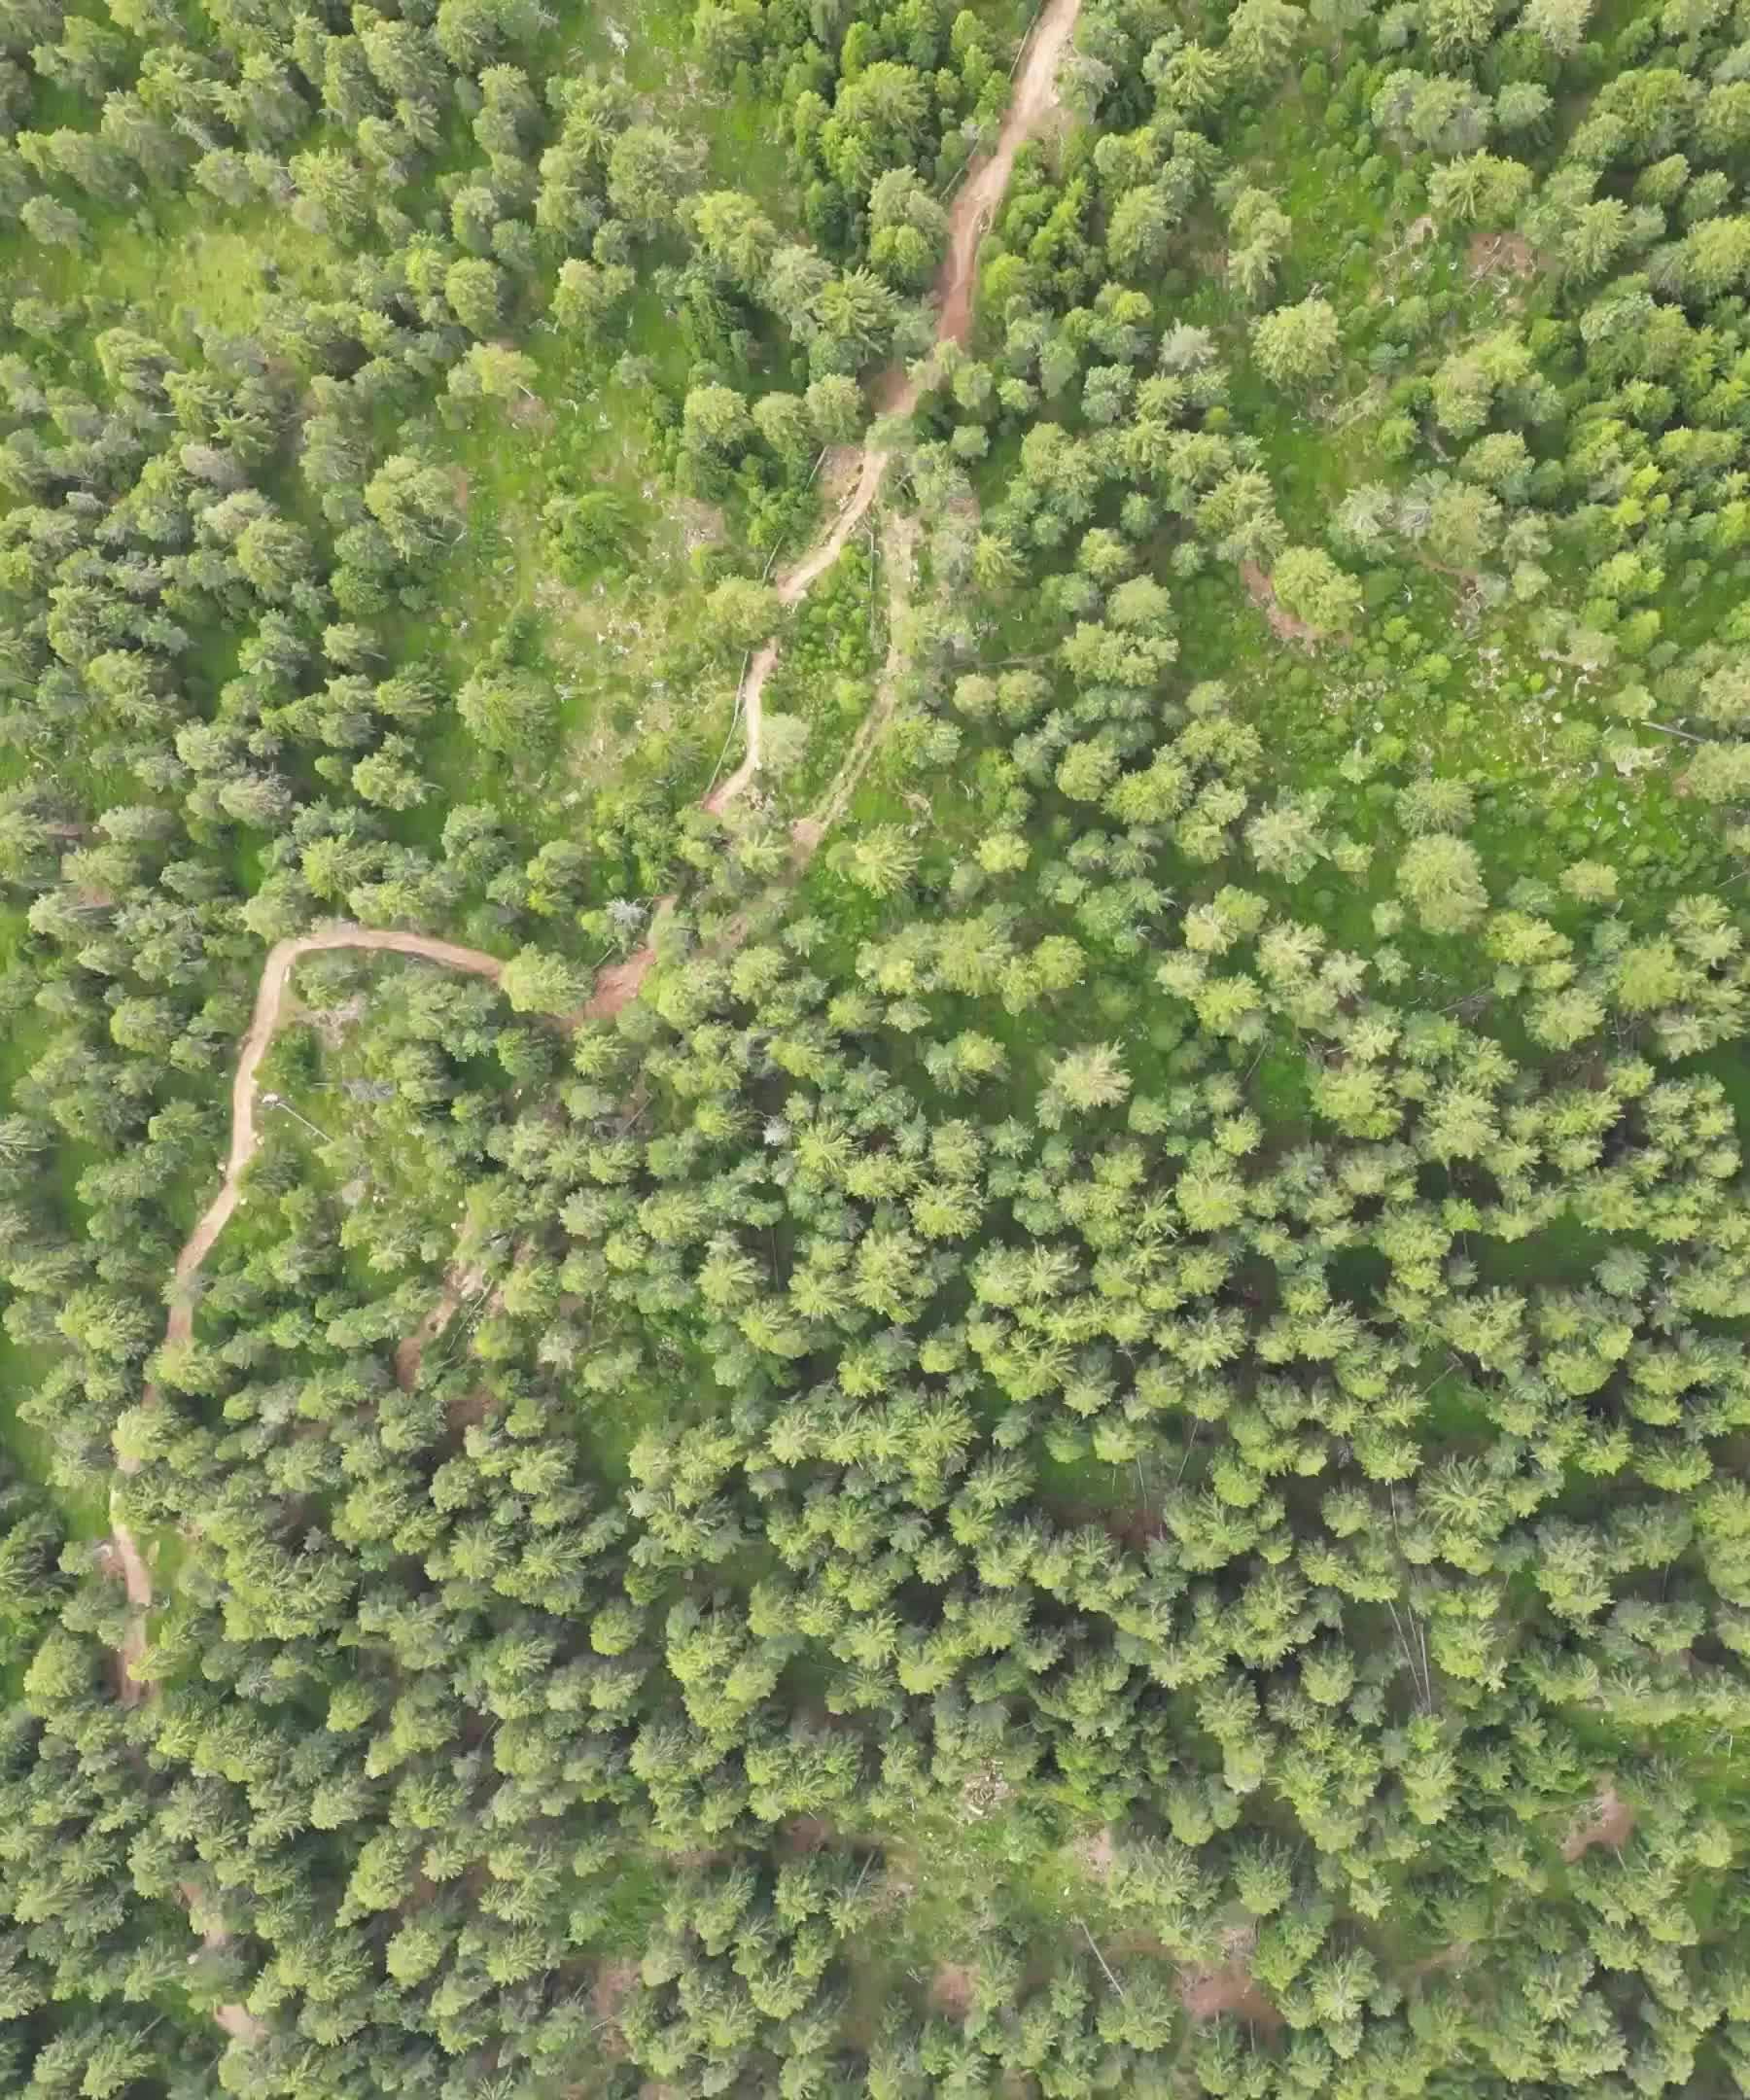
x=896, y=392
